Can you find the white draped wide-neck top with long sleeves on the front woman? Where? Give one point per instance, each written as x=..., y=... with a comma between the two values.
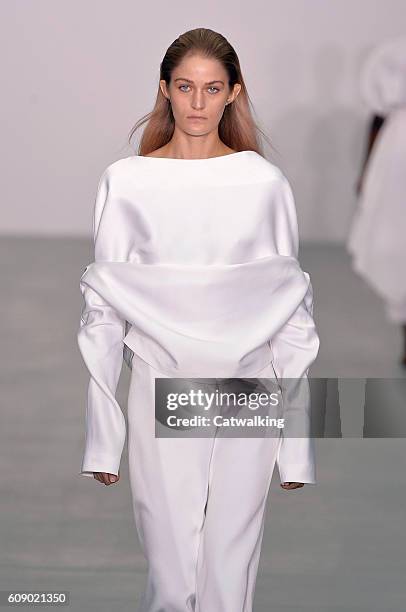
x=195, y=270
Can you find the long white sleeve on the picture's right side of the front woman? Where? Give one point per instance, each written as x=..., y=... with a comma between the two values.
x=294, y=347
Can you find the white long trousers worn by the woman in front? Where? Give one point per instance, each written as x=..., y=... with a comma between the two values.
x=199, y=508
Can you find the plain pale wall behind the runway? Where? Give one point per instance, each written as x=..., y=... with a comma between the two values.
x=76, y=76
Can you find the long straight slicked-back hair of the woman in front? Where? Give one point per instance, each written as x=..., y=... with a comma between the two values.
x=237, y=128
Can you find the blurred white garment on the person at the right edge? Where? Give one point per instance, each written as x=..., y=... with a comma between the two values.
x=377, y=240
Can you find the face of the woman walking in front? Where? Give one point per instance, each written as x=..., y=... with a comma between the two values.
x=199, y=88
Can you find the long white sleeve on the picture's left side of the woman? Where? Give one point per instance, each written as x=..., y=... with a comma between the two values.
x=100, y=339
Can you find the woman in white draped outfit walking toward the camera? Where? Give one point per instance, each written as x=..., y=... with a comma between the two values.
x=195, y=274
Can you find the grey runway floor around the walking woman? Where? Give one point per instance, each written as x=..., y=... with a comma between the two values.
x=338, y=546
